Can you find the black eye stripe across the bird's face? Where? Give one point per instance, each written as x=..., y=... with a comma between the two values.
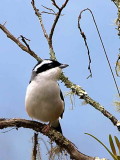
x=47, y=66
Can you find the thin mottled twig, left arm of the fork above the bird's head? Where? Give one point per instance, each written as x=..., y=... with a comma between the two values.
x=40, y=19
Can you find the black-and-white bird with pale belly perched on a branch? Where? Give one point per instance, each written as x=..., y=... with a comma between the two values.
x=44, y=100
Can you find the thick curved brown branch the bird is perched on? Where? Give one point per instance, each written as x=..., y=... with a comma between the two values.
x=55, y=136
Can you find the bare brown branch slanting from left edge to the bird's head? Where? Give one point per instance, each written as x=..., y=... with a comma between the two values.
x=24, y=48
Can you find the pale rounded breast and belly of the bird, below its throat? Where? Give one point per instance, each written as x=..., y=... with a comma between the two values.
x=43, y=100
